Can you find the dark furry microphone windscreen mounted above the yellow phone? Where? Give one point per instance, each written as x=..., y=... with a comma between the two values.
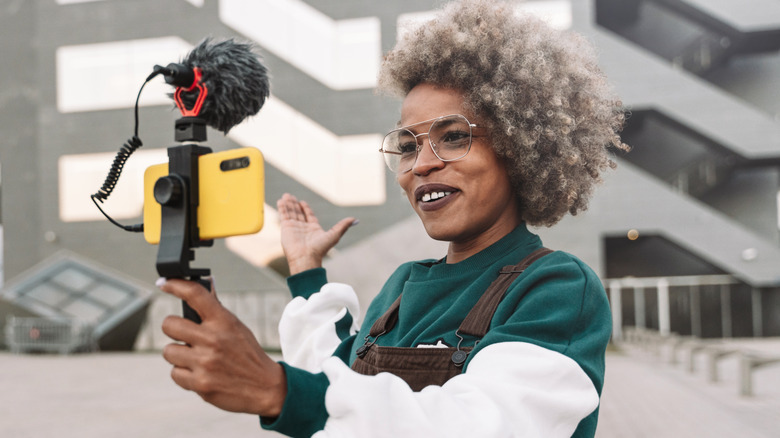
x=236, y=80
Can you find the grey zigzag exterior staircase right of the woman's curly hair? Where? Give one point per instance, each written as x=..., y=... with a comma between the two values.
x=702, y=81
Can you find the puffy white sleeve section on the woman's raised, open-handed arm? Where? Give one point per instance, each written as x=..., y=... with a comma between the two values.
x=307, y=329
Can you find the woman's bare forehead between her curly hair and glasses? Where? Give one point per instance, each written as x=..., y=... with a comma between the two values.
x=426, y=102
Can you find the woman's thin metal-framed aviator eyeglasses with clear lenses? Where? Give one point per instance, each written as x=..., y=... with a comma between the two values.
x=449, y=136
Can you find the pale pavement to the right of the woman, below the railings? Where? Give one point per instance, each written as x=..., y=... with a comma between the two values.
x=647, y=396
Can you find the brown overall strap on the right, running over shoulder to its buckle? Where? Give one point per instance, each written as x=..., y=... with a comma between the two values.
x=477, y=322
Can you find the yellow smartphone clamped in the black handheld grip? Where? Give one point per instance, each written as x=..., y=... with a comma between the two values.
x=232, y=195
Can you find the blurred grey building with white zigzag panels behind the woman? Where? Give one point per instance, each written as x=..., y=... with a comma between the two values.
x=685, y=233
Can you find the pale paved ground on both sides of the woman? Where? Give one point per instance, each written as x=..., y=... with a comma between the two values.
x=121, y=395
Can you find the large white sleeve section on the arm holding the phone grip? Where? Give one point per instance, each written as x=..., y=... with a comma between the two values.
x=509, y=389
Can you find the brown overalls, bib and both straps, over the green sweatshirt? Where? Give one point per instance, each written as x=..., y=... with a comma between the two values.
x=421, y=367
